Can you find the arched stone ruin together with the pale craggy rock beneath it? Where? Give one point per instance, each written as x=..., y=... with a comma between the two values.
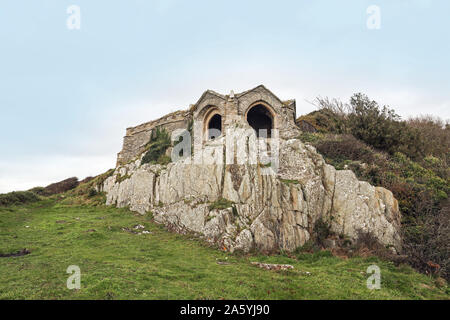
x=220, y=191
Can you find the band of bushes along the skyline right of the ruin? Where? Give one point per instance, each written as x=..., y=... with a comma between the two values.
x=381, y=127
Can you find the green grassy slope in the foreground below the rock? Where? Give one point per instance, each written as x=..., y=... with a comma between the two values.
x=120, y=265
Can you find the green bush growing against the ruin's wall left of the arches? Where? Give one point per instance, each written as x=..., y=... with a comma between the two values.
x=157, y=147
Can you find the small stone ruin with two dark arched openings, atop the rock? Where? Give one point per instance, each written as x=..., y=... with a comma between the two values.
x=258, y=108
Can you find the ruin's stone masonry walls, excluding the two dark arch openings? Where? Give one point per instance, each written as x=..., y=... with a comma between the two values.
x=232, y=108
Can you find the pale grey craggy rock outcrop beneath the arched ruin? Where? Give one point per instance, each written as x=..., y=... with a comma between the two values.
x=266, y=212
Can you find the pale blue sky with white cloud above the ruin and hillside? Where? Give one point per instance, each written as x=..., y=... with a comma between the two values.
x=66, y=96
